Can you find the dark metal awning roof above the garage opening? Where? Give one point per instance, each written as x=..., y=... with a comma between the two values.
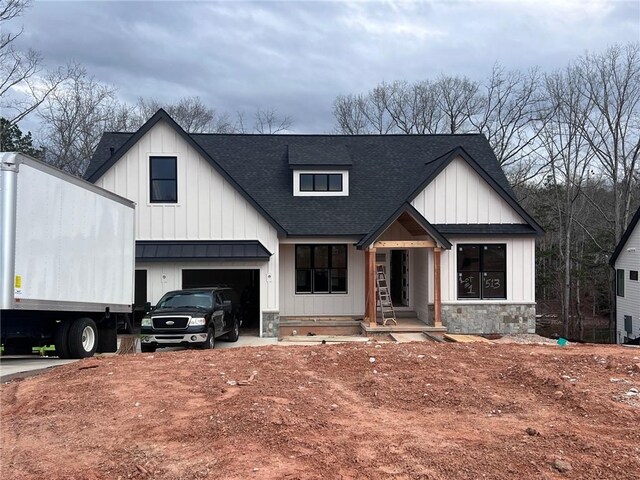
x=203, y=250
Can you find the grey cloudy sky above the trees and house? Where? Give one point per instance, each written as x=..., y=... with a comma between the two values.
x=297, y=56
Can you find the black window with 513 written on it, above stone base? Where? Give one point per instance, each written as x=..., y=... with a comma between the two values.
x=482, y=271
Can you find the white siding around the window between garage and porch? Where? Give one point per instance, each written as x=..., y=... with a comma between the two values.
x=339, y=304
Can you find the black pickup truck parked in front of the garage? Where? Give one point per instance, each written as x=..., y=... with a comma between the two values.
x=191, y=318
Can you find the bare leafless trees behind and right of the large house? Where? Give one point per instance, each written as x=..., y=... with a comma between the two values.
x=568, y=140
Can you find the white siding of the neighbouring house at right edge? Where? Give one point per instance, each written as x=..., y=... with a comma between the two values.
x=629, y=259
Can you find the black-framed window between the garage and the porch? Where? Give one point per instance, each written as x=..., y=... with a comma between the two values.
x=321, y=269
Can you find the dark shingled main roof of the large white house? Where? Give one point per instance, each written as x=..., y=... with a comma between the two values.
x=385, y=172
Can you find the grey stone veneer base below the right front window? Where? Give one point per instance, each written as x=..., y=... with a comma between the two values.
x=487, y=318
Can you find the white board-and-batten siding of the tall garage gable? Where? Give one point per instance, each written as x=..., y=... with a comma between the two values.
x=208, y=208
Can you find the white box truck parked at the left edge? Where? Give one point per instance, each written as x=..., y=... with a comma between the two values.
x=66, y=261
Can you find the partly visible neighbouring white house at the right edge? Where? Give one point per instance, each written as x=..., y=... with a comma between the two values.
x=626, y=261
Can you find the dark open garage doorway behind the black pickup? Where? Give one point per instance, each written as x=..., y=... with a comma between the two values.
x=245, y=284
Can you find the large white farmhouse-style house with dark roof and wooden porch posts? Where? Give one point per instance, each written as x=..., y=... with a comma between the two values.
x=298, y=223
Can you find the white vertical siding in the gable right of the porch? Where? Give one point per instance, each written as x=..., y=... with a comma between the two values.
x=459, y=195
